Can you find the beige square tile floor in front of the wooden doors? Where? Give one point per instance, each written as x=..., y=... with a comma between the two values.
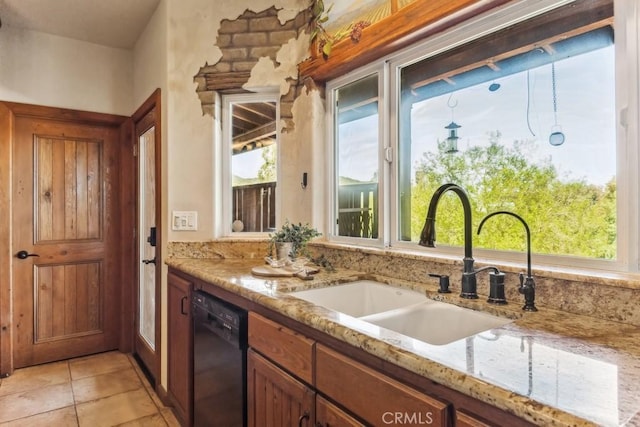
x=107, y=389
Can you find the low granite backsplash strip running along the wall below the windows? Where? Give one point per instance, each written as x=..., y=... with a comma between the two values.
x=606, y=296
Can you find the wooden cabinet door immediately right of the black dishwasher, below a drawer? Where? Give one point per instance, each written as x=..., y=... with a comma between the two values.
x=275, y=398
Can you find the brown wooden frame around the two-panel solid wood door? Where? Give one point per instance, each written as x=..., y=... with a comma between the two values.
x=8, y=113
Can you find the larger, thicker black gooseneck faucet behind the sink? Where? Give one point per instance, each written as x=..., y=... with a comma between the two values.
x=428, y=236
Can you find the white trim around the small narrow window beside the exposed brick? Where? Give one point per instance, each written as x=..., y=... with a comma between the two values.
x=224, y=153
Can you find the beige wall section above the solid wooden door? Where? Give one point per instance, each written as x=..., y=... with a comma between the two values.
x=38, y=68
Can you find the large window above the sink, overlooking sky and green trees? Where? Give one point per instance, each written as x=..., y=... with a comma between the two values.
x=517, y=107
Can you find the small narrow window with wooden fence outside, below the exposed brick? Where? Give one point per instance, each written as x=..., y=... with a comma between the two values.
x=250, y=136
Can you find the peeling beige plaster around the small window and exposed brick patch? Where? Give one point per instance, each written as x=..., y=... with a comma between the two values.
x=192, y=33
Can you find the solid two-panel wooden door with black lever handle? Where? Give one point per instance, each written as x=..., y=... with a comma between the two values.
x=66, y=281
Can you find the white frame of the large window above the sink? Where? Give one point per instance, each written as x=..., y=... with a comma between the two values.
x=627, y=120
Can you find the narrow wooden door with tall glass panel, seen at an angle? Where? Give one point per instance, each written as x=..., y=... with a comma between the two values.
x=147, y=136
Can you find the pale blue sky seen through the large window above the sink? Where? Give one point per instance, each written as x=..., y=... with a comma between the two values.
x=585, y=88
